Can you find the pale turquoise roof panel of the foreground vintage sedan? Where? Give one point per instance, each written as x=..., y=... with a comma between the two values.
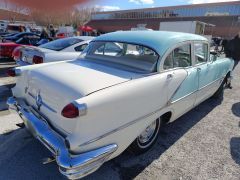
x=159, y=41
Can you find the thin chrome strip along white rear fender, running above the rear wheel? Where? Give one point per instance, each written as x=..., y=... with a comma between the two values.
x=121, y=127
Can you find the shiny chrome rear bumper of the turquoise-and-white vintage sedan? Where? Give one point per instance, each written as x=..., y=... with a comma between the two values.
x=72, y=166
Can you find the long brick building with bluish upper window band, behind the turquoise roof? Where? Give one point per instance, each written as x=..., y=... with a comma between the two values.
x=224, y=15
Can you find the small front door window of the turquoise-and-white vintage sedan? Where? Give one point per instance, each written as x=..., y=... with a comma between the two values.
x=201, y=52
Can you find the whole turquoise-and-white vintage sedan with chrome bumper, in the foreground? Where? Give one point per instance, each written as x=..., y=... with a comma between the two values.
x=116, y=95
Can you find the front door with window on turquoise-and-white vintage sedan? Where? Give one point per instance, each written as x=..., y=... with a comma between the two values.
x=206, y=71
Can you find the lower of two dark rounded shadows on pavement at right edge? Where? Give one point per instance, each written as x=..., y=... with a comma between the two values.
x=235, y=149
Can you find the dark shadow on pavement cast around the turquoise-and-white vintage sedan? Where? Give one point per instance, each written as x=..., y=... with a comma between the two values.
x=21, y=155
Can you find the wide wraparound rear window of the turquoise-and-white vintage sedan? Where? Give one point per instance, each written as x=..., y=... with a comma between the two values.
x=128, y=55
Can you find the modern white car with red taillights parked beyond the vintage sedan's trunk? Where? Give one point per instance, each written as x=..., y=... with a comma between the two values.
x=58, y=50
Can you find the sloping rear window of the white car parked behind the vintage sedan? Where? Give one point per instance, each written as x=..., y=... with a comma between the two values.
x=61, y=44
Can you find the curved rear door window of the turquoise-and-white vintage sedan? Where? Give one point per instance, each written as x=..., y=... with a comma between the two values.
x=179, y=57
